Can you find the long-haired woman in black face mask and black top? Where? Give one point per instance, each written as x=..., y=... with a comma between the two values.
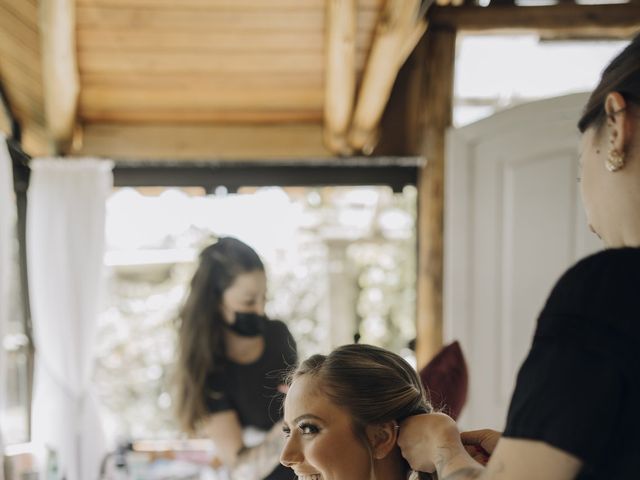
x=231, y=361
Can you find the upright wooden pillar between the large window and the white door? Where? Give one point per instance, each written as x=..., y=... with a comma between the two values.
x=436, y=105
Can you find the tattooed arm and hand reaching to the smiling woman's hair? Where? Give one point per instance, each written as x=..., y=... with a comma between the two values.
x=432, y=443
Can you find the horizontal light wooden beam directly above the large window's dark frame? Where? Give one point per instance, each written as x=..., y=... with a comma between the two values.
x=203, y=142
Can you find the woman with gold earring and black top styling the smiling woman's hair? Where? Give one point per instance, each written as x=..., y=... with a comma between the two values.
x=574, y=412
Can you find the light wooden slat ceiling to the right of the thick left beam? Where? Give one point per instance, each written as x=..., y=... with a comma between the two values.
x=220, y=61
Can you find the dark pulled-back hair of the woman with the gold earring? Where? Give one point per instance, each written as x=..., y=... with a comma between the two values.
x=622, y=75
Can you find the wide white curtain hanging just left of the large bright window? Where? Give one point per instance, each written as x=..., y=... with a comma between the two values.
x=65, y=247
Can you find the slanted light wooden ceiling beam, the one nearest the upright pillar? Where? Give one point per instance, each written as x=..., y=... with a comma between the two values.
x=400, y=27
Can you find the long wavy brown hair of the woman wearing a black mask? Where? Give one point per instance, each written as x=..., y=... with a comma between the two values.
x=201, y=348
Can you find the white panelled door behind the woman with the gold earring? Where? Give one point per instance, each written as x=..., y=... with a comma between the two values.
x=513, y=223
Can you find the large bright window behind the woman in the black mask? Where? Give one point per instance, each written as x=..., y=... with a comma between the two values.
x=340, y=260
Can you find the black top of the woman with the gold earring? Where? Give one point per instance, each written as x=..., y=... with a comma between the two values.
x=579, y=388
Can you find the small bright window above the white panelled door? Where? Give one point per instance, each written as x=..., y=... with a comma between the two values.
x=494, y=72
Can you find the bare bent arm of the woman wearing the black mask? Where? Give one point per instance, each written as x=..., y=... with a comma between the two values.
x=243, y=463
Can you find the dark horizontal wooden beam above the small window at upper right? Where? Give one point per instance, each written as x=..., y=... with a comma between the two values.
x=596, y=20
